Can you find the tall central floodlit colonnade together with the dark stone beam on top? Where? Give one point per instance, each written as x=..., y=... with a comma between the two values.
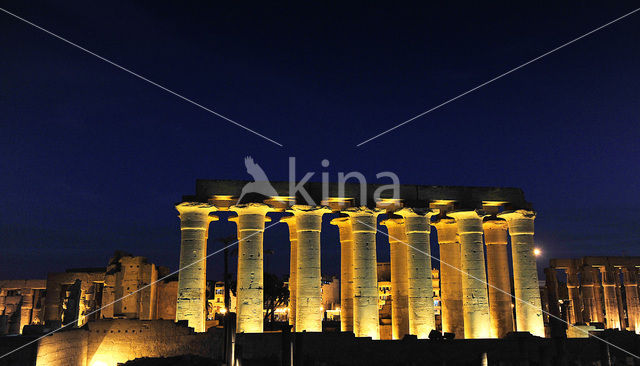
x=463, y=216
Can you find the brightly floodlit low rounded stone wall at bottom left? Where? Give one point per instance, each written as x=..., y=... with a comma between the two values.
x=111, y=341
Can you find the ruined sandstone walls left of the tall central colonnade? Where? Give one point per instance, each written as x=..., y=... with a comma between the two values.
x=80, y=295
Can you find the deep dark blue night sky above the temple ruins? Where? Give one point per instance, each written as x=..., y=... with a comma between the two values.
x=92, y=159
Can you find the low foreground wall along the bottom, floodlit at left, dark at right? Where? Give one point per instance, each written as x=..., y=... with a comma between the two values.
x=109, y=342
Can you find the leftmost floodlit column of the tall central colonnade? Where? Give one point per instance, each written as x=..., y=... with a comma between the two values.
x=192, y=278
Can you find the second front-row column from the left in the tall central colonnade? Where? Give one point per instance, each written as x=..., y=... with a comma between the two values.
x=250, y=288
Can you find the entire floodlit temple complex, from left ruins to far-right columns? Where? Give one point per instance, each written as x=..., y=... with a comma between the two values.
x=486, y=289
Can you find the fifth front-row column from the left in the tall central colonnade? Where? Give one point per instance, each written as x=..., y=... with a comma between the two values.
x=417, y=227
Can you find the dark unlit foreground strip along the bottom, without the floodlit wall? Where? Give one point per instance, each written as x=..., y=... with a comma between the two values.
x=343, y=349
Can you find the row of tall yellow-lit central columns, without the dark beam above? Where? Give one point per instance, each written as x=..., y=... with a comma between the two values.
x=469, y=307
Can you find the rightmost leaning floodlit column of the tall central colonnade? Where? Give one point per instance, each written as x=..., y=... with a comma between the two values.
x=525, y=273
